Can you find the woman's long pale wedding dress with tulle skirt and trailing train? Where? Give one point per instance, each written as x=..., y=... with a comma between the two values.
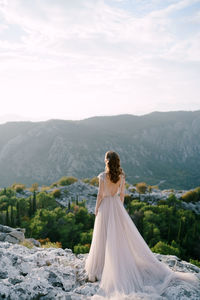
x=119, y=257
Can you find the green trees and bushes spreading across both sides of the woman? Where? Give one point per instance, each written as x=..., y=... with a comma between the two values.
x=167, y=227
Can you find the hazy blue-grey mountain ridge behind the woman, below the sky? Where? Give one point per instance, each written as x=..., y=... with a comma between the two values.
x=158, y=148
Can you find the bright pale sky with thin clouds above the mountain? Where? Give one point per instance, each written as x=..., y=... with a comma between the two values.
x=64, y=59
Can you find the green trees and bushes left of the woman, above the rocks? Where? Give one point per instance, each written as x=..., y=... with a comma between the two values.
x=43, y=218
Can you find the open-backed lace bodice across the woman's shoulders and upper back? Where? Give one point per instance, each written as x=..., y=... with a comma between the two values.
x=109, y=188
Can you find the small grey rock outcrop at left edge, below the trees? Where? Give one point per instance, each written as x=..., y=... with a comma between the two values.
x=11, y=235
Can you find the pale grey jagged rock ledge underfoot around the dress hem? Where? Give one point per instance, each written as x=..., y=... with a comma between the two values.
x=55, y=273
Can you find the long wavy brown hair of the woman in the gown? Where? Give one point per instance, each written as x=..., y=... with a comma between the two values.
x=112, y=167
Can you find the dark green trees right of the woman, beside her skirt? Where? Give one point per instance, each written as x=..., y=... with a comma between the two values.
x=167, y=227
